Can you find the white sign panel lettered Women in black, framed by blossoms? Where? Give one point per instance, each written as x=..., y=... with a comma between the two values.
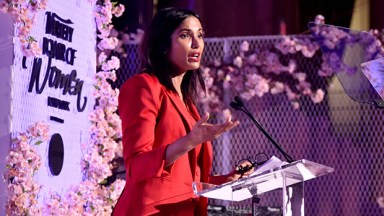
x=54, y=87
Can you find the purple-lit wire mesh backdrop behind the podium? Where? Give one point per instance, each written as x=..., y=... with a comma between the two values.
x=338, y=132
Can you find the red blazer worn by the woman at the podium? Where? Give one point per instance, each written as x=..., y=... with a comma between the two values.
x=153, y=117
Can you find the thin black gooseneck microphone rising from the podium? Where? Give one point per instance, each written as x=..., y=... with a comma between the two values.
x=238, y=104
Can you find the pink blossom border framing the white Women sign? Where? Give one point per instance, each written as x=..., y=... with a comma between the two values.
x=93, y=196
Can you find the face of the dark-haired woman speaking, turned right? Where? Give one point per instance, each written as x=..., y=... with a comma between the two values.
x=187, y=46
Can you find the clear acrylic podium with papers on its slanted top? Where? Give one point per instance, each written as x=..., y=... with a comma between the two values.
x=289, y=178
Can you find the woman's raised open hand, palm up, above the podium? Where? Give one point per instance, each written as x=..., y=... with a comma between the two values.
x=203, y=131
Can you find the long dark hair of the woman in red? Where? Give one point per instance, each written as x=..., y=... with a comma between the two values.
x=155, y=45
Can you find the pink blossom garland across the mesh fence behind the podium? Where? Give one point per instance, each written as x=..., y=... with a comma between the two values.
x=258, y=72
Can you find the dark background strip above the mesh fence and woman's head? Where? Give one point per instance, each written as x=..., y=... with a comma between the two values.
x=223, y=18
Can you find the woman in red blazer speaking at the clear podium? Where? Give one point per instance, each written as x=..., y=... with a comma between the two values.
x=166, y=144
